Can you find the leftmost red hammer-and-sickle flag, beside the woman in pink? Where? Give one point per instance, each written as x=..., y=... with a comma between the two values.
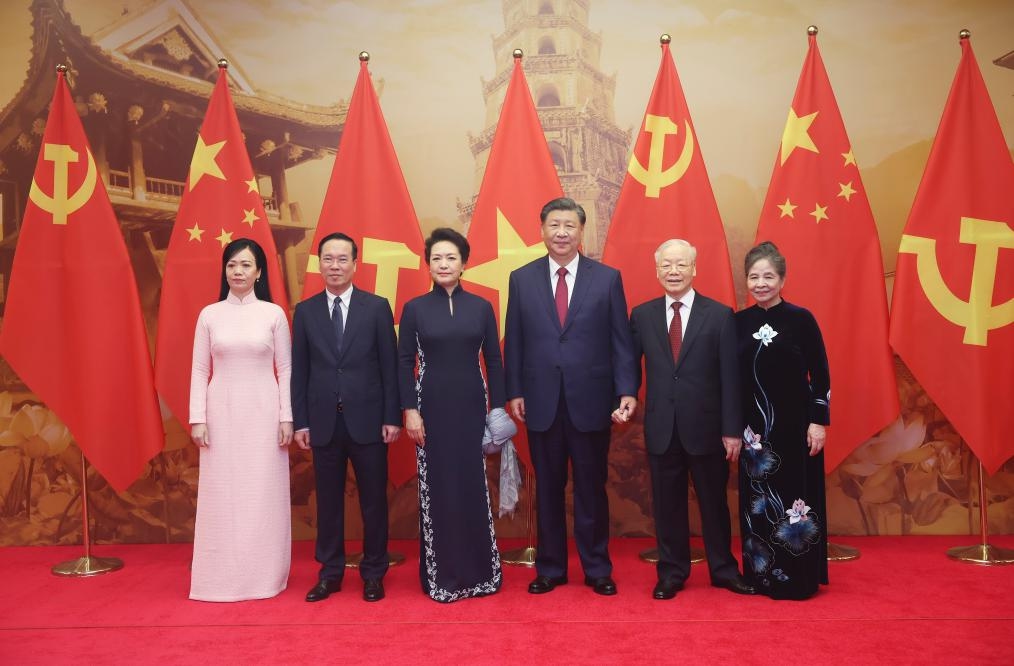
x=73, y=328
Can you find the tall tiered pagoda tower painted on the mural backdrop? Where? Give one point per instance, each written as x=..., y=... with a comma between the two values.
x=574, y=100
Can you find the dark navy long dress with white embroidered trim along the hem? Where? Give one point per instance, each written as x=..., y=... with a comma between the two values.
x=447, y=335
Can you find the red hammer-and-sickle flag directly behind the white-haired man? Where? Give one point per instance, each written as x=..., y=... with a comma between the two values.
x=666, y=195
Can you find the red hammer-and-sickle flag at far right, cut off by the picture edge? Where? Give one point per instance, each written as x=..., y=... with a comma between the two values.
x=953, y=314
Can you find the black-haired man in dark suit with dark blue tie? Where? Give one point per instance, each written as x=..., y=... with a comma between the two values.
x=345, y=407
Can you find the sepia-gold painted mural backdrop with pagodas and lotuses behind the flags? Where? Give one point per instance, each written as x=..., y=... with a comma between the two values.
x=441, y=67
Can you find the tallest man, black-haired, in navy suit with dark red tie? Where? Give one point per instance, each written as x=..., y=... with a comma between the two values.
x=569, y=359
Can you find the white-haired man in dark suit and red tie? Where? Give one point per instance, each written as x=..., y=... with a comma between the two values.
x=693, y=421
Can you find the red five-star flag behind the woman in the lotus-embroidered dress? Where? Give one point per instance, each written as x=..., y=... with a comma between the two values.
x=818, y=214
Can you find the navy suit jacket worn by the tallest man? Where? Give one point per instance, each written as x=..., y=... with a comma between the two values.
x=591, y=356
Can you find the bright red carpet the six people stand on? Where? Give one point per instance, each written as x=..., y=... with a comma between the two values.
x=902, y=603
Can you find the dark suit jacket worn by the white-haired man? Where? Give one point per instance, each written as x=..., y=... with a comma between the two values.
x=701, y=391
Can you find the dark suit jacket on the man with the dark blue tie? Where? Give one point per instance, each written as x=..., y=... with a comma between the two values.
x=366, y=376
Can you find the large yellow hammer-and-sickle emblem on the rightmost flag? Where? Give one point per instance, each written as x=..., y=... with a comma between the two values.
x=978, y=316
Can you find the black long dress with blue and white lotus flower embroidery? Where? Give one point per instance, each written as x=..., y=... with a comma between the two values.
x=782, y=508
